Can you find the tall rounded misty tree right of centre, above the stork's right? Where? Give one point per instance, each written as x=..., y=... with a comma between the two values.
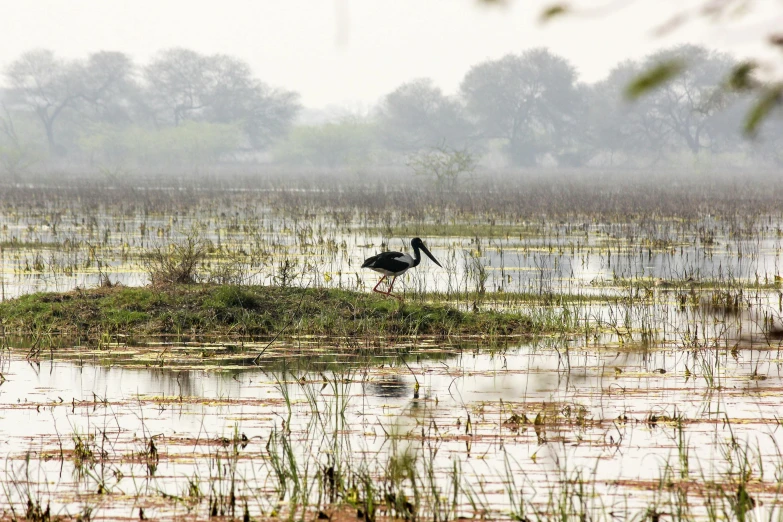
x=528, y=100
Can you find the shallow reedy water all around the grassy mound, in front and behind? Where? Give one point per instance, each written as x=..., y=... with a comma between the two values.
x=657, y=388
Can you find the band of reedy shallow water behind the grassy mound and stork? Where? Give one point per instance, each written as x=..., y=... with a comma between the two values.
x=578, y=257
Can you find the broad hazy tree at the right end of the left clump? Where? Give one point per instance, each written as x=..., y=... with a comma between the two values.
x=185, y=85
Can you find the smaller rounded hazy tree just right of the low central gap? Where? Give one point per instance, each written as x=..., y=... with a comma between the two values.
x=417, y=115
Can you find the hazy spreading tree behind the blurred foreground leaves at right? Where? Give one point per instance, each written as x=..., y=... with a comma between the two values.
x=693, y=111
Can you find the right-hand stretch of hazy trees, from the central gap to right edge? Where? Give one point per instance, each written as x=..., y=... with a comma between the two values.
x=532, y=108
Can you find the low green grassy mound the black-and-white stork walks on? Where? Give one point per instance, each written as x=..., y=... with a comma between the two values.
x=245, y=310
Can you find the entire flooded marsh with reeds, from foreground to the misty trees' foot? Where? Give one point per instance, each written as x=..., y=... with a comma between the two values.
x=648, y=386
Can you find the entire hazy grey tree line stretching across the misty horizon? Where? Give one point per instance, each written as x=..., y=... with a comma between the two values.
x=523, y=109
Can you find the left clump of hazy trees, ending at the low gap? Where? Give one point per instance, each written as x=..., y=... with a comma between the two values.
x=182, y=106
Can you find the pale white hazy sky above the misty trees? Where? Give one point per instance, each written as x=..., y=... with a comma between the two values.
x=355, y=51
